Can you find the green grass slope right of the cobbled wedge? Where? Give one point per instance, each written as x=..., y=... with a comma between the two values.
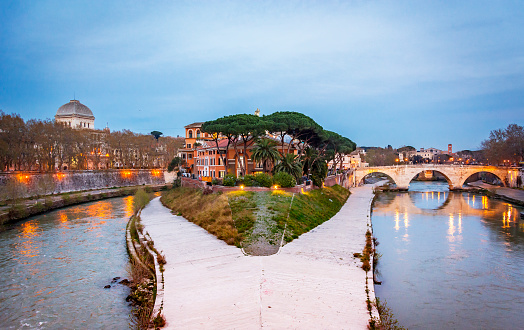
x=311, y=209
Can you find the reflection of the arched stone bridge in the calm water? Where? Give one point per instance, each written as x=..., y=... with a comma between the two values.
x=446, y=204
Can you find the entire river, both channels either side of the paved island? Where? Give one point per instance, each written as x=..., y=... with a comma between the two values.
x=449, y=261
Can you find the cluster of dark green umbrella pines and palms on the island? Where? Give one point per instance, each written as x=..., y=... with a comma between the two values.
x=314, y=146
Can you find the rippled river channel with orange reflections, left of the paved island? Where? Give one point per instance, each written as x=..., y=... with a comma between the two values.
x=53, y=269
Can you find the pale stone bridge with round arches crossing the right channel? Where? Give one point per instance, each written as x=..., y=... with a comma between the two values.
x=456, y=175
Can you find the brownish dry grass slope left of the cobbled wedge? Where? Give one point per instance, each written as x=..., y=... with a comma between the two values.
x=210, y=212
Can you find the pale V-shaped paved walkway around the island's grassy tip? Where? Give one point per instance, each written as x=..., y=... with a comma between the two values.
x=314, y=282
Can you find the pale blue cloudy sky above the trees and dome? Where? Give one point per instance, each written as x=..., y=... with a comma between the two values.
x=421, y=73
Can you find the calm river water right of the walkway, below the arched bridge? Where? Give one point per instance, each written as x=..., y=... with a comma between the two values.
x=450, y=260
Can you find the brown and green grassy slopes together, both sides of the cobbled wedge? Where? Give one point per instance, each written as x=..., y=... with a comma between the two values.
x=231, y=216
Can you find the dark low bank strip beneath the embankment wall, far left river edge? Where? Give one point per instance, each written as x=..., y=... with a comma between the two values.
x=33, y=206
